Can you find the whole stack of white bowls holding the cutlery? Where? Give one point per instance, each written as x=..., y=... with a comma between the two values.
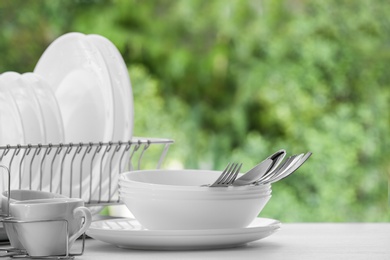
x=159, y=201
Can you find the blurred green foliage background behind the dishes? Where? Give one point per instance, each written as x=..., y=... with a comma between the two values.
x=237, y=80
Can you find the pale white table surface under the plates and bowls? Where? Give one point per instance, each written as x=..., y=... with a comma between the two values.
x=293, y=241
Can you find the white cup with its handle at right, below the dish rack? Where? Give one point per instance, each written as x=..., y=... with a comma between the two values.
x=49, y=227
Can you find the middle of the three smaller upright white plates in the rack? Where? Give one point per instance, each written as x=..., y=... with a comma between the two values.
x=33, y=128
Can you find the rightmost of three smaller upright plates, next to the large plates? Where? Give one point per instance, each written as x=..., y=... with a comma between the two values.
x=53, y=127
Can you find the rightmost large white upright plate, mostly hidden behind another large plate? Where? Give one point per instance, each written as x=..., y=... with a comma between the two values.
x=123, y=107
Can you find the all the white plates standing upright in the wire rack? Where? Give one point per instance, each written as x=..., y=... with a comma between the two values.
x=80, y=91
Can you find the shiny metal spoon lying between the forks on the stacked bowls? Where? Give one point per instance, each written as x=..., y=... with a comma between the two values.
x=260, y=169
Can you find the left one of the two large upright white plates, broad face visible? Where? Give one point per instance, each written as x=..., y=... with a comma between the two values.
x=78, y=74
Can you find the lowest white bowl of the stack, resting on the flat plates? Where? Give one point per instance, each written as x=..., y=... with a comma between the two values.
x=160, y=213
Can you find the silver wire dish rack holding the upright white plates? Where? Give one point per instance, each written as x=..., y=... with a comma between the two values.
x=84, y=170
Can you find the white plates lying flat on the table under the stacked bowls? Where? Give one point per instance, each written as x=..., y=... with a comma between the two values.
x=128, y=233
